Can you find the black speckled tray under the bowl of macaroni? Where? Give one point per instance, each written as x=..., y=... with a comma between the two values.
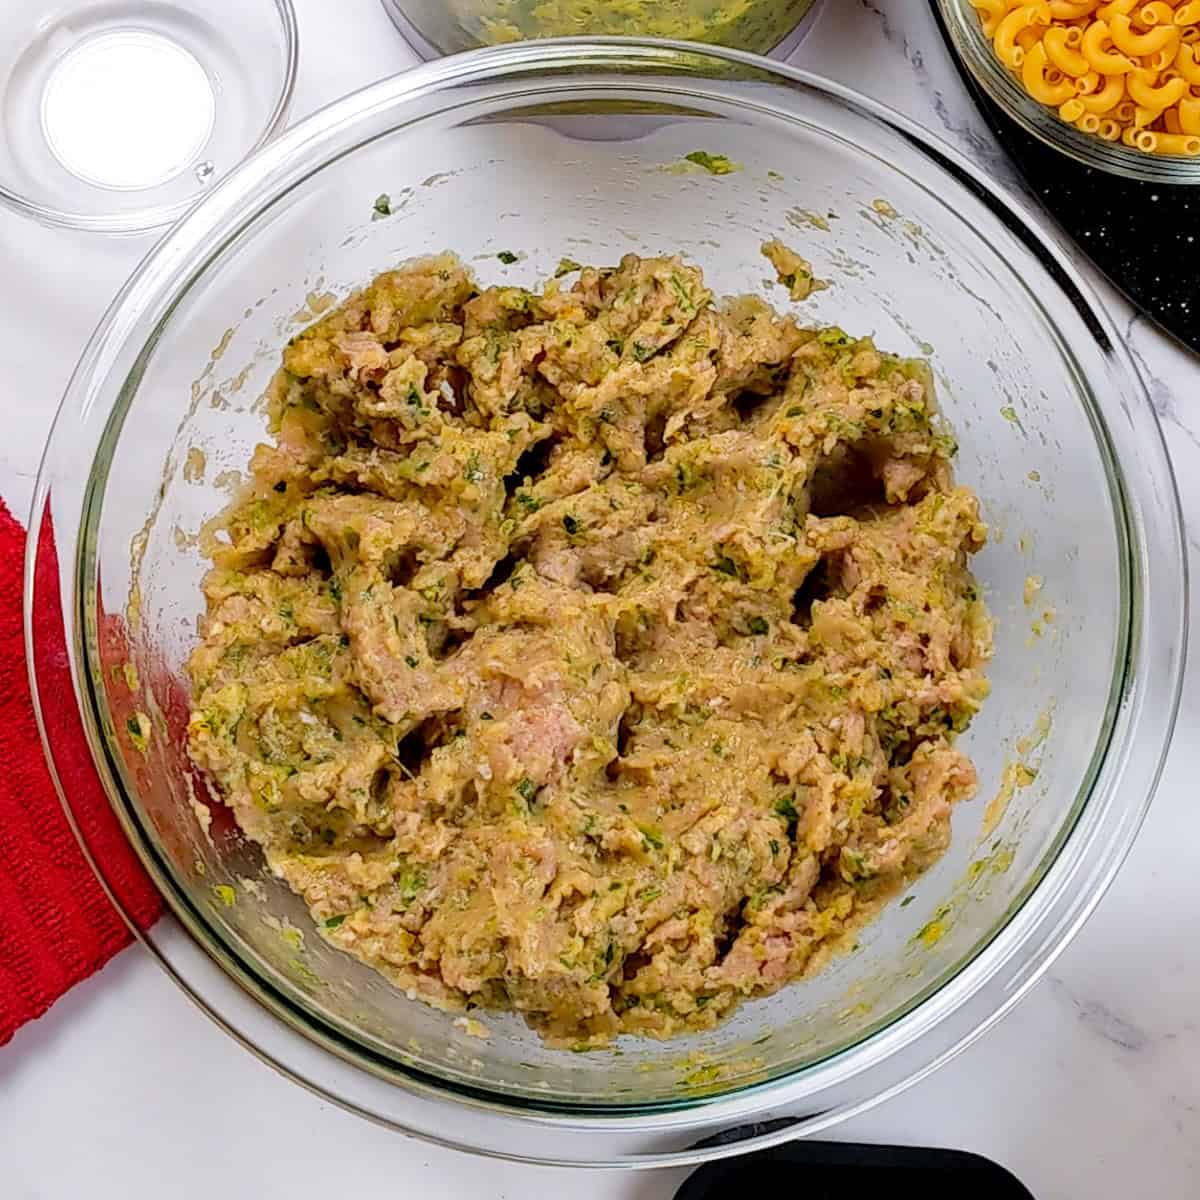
x=1144, y=237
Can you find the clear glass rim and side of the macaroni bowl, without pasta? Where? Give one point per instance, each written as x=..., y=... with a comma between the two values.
x=976, y=52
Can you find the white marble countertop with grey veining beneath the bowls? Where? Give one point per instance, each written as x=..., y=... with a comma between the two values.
x=1090, y=1089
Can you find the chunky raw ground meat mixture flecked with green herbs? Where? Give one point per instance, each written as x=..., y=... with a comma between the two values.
x=595, y=653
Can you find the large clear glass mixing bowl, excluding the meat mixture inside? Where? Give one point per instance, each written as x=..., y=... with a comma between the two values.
x=578, y=149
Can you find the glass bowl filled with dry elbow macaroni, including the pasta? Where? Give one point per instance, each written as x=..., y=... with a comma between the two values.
x=1114, y=86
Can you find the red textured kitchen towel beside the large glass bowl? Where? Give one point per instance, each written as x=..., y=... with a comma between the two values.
x=57, y=925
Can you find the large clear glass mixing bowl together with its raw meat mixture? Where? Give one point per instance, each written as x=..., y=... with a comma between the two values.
x=698, y=632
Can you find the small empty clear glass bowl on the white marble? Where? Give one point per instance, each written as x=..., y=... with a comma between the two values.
x=117, y=115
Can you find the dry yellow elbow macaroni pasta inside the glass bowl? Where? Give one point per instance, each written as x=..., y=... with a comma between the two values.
x=1124, y=70
